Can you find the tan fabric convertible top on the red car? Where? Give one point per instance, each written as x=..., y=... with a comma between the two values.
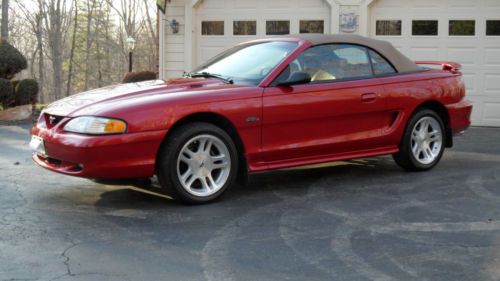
x=398, y=60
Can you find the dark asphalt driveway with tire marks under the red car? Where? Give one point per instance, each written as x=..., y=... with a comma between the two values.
x=359, y=220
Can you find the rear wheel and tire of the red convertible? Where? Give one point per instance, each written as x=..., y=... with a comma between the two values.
x=423, y=142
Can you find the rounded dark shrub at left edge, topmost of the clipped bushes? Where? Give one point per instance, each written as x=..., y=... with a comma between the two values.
x=11, y=61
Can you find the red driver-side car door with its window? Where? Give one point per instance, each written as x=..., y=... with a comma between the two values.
x=341, y=111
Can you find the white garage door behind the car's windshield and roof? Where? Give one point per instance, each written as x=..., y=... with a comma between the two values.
x=221, y=24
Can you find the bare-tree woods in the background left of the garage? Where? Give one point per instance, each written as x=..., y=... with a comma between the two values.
x=73, y=46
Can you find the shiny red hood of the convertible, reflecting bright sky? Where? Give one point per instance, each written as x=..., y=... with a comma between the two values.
x=71, y=105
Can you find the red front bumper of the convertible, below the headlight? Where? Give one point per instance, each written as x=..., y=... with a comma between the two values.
x=123, y=156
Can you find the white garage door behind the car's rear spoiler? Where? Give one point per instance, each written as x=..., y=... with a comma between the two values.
x=457, y=30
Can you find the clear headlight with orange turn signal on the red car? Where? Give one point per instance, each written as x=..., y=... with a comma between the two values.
x=96, y=125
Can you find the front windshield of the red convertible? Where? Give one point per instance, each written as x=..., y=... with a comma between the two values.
x=247, y=64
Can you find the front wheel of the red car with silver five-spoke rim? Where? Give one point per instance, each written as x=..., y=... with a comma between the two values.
x=197, y=163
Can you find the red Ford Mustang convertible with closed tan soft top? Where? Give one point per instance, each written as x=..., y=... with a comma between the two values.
x=262, y=105
